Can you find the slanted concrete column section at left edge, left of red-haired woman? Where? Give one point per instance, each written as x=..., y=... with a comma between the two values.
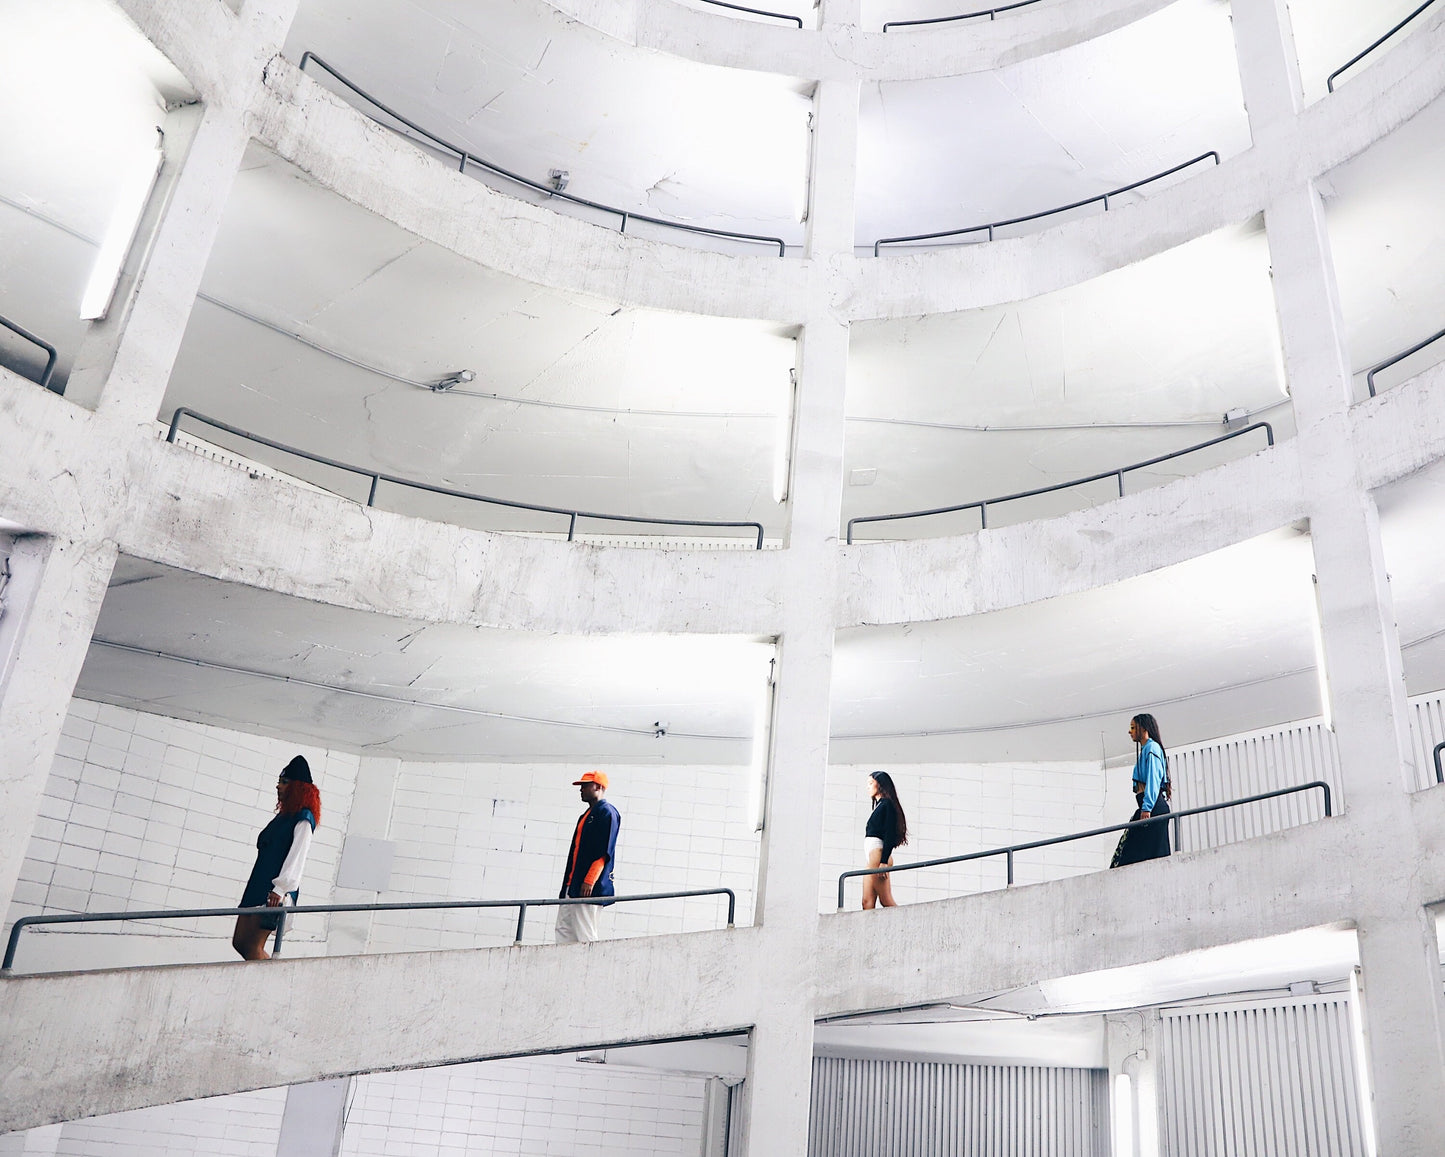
x=53, y=602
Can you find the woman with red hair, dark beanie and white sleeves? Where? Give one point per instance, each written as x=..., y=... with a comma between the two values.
x=281, y=857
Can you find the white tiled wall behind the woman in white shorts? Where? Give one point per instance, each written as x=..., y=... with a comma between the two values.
x=962, y=808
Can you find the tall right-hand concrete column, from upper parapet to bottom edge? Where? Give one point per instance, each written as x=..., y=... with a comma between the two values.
x=1362, y=654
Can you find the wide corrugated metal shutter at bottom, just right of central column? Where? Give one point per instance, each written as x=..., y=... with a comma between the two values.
x=900, y=1109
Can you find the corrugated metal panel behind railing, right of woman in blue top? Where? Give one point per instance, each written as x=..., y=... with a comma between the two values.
x=1248, y=766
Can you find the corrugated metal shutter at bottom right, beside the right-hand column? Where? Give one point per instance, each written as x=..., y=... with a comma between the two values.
x=1262, y=1081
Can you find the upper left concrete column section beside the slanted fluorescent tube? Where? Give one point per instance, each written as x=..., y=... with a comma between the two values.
x=125, y=365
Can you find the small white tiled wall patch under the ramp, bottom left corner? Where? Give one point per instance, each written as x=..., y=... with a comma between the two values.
x=238, y=1126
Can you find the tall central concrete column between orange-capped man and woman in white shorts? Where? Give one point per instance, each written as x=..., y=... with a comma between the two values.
x=780, y=1075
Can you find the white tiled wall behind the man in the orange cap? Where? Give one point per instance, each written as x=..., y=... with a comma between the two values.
x=502, y=831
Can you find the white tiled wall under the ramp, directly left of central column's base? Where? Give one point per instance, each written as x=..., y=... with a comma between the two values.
x=541, y=1106
